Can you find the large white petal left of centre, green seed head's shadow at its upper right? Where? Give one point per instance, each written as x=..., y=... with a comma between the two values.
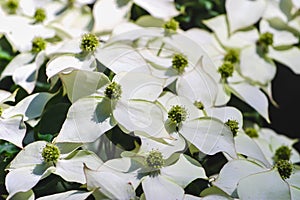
x=87, y=120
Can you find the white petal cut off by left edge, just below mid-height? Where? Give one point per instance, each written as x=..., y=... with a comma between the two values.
x=13, y=130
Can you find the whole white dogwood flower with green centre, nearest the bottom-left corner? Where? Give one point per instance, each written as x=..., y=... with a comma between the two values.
x=30, y=165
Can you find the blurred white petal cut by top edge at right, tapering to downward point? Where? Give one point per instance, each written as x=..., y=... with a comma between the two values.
x=244, y=13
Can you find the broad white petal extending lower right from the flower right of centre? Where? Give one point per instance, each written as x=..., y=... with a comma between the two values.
x=209, y=135
